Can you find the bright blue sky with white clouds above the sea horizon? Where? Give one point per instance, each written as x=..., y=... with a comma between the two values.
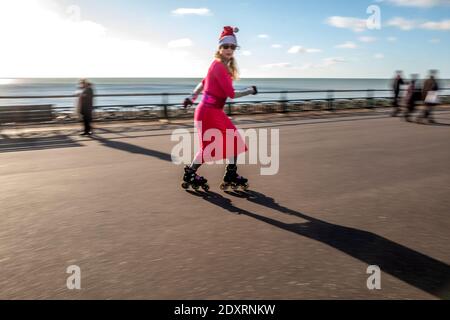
x=287, y=39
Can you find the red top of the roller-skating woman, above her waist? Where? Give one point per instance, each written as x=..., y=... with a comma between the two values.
x=218, y=82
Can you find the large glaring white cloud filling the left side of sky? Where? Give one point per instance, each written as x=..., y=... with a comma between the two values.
x=41, y=42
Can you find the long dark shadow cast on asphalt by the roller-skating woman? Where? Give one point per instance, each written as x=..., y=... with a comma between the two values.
x=410, y=266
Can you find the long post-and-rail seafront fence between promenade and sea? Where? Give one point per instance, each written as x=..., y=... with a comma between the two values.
x=331, y=100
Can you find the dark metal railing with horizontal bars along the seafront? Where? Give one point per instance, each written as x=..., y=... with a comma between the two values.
x=164, y=110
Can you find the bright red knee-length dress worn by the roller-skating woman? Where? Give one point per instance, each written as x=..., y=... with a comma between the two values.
x=211, y=121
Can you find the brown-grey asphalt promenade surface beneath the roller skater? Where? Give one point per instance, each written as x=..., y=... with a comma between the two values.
x=350, y=193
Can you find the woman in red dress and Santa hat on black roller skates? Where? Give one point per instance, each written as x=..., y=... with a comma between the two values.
x=217, y=87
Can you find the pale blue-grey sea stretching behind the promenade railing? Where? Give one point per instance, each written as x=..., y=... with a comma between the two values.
x=40, y=88
